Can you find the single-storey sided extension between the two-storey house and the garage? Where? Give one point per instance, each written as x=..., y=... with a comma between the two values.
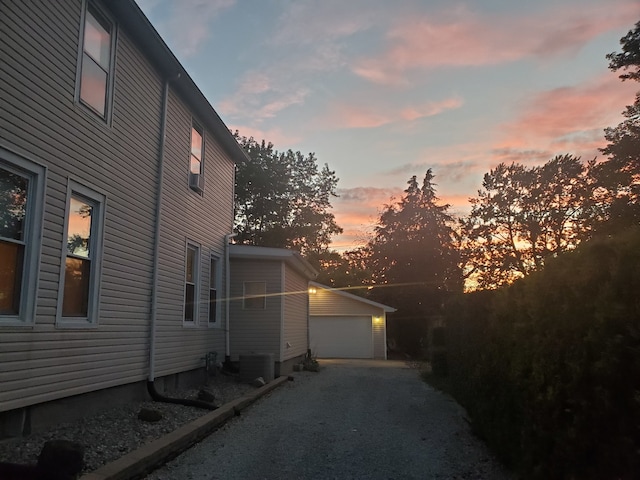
x=269, y=304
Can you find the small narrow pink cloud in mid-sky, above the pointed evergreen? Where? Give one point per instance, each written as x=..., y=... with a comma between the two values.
x=345, y=115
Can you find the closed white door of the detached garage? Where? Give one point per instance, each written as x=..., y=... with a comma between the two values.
x=341, y=337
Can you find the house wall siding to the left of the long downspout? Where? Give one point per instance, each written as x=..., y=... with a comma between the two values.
x=40, y=120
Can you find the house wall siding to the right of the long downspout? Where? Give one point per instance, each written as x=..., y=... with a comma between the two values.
x=204, y=219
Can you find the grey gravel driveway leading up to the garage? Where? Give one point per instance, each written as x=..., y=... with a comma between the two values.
x=353, y=419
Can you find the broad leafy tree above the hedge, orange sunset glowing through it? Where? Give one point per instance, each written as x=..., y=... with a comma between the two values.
x=524, y=215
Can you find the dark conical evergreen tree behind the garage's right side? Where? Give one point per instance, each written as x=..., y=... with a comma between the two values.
x=413, y=261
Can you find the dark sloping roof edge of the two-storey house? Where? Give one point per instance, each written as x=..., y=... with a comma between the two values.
x=138, y=27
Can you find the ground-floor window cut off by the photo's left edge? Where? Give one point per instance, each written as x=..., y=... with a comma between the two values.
x=21, y=199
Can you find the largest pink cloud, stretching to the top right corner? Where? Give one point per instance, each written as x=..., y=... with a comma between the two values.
x=463, y=38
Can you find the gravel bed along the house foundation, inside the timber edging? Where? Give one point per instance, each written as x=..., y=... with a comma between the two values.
x=117, y=431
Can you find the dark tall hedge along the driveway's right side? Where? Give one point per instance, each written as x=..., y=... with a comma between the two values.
x=549, y=368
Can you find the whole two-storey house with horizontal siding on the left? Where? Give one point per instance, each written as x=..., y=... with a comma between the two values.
x=116, y=205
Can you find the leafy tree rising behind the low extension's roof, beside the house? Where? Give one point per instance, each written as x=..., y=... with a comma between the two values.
x=283, y=199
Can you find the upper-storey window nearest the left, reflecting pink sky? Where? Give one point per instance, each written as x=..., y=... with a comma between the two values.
x=96, y=62
